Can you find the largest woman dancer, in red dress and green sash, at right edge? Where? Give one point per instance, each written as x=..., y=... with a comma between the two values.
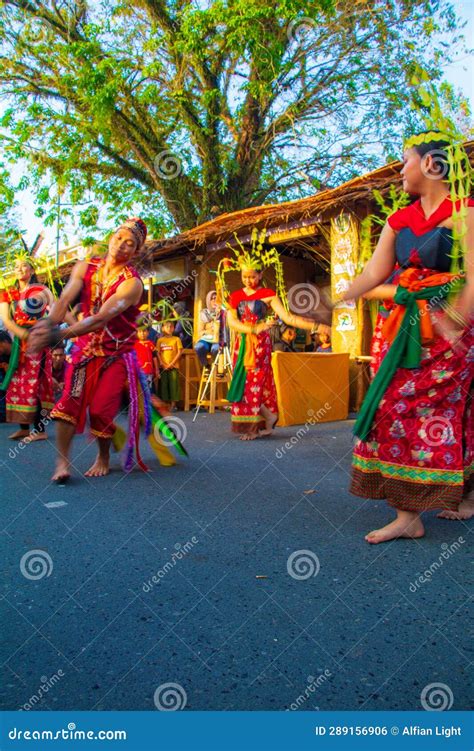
x=415, y=429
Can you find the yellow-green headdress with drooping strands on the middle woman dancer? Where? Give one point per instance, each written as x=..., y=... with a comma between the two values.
x=255, y=257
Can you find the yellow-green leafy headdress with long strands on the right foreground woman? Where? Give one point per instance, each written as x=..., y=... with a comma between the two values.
x=457, y=171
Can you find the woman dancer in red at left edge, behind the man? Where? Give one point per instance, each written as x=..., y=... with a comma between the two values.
x=28, y=381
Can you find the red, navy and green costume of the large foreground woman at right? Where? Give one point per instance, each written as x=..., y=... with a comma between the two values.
x=415, y=428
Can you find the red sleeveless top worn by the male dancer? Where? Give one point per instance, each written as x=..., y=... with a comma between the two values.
x=120, y=333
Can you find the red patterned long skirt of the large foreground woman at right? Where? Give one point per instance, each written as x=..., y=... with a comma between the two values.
x=420, y=453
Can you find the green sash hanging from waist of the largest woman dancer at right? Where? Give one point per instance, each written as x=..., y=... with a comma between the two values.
x=405, y=352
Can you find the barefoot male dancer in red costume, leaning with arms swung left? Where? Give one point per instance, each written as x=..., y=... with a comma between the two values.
x=110, y=290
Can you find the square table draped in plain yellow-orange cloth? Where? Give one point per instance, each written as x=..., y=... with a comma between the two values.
x=311, y=387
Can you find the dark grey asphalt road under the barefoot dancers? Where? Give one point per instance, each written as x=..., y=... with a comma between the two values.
x=195, y=576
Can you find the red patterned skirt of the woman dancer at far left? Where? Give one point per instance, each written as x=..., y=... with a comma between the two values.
x=31, y=387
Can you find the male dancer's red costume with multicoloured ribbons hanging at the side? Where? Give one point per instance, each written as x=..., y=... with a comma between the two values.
x=104, y=368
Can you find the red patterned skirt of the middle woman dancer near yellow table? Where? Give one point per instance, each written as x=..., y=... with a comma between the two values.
x=259, y=389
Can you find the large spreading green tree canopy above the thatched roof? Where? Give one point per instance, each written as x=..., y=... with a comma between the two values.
x=183, y=110
